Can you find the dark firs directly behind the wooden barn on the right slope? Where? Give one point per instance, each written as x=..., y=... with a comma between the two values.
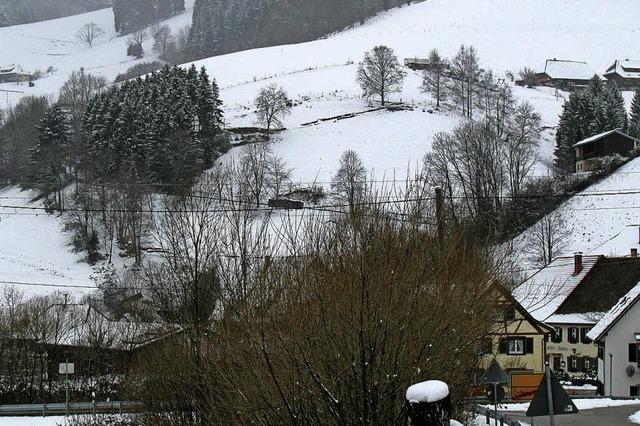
x=598, y=108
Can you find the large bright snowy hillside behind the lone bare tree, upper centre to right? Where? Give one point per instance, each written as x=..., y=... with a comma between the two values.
x=321, y=74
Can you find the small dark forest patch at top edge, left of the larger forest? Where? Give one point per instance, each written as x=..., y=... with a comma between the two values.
x=132, y=15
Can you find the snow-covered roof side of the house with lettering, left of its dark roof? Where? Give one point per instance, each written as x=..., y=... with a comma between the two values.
x=543, y=293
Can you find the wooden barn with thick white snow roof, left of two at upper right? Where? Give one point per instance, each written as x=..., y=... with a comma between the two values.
x=564, y=74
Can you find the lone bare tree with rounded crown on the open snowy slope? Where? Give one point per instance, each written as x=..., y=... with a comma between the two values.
x=380, y=74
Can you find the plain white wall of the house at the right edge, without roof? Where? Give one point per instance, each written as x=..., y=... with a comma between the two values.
x=616, y=355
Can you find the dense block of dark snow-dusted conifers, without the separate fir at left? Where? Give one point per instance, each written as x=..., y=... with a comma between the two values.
x=163, y=129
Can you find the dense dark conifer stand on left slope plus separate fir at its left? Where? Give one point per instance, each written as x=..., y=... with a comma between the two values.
x=162, y=130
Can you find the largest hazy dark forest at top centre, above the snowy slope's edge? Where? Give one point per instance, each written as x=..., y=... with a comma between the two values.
x=223, y=26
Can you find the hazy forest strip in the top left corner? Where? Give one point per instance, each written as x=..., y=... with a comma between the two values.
x=15, y=12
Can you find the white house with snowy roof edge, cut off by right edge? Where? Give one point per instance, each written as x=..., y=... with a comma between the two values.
x=617, y=335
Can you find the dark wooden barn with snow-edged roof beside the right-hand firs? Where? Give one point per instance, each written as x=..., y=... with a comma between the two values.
x=590, y=150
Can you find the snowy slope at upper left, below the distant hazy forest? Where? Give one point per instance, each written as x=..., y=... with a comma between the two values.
x=53, y=43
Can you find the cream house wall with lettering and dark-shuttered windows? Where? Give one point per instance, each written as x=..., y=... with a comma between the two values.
x=565, y=350
